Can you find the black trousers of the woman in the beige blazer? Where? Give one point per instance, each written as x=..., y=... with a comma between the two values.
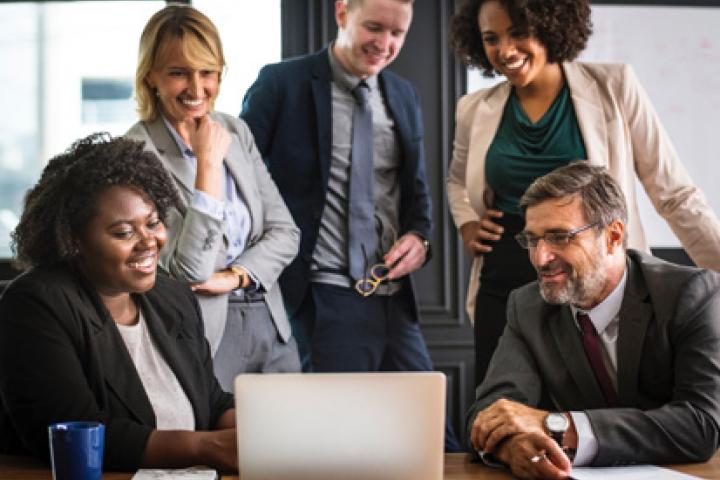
x=506, y=268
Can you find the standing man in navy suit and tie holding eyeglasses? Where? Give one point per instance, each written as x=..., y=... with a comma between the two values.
x=343, y=140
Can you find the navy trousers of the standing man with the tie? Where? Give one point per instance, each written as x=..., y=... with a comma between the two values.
x=338, y=330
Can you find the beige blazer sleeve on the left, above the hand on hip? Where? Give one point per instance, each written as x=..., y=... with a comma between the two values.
x=457, y=186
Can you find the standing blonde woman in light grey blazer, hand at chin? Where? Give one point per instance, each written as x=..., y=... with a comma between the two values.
x=232, y=236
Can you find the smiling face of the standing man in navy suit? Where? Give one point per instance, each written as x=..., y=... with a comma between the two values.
x=371, y=34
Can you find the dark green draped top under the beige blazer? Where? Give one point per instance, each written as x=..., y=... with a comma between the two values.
x=523, y=151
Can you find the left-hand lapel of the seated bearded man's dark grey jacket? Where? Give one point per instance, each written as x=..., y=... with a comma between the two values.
x=569, y=344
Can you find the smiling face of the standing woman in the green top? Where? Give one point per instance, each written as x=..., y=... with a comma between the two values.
x=511, y=51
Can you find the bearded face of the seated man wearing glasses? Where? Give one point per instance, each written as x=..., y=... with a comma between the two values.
x=581, y=273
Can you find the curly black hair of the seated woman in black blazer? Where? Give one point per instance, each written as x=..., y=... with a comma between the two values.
x=63, y=201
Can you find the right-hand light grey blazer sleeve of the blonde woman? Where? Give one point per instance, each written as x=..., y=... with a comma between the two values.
x=276, y=248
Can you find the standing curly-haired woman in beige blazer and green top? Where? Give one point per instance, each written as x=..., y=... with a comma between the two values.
x=550, y=111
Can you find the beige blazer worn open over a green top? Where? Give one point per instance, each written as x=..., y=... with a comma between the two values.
x=621, y=132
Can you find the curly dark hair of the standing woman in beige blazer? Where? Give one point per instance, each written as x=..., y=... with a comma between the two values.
x=562, y=27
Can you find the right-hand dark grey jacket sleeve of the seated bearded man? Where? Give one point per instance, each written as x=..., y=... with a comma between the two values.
x=687, y=428
